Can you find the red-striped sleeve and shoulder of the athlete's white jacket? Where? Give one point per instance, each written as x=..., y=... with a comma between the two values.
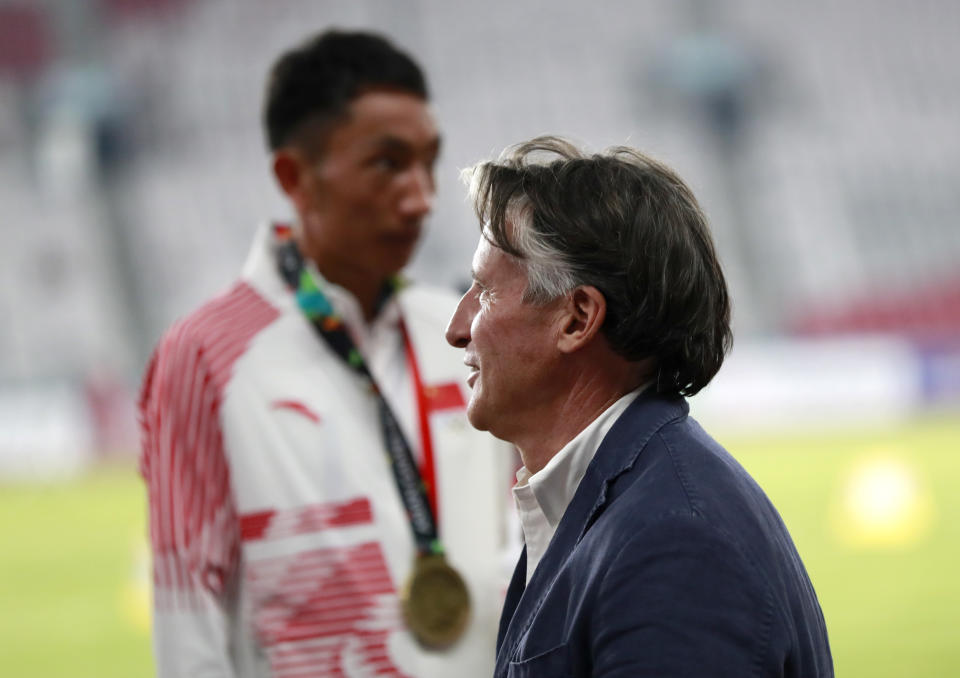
x=194, y=529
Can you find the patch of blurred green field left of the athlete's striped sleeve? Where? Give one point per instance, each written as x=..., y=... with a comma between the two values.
x=72, y=579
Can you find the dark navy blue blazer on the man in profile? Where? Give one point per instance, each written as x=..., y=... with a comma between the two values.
x=669, y=561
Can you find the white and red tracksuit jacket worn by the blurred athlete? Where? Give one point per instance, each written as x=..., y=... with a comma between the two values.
x=279, y=538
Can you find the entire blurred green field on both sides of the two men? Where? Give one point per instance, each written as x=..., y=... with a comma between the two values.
x=881, y=546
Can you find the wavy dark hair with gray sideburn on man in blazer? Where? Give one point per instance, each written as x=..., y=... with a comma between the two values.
x=626, y=224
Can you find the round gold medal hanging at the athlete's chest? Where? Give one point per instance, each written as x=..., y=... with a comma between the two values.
x=436, y=604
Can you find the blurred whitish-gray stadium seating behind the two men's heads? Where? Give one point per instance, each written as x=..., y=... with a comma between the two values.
x=844, y=184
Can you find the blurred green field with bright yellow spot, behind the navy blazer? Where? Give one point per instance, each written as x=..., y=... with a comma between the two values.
x=890, y=596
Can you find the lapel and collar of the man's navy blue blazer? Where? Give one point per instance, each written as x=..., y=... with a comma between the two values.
x=617, y=454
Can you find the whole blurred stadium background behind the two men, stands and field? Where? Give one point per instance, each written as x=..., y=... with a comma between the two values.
x=823, y=139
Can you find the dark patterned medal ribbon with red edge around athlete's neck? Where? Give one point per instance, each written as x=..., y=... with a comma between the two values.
x=318, y=309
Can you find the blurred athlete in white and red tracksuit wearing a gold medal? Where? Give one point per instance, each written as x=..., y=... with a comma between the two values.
x=318, y=503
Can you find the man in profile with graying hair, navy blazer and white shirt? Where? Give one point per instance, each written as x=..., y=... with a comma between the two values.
x=597, y=304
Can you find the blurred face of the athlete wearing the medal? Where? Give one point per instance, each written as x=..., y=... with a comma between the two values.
x=362, y=202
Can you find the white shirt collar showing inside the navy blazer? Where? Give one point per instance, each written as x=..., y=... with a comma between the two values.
x=542, y=497
